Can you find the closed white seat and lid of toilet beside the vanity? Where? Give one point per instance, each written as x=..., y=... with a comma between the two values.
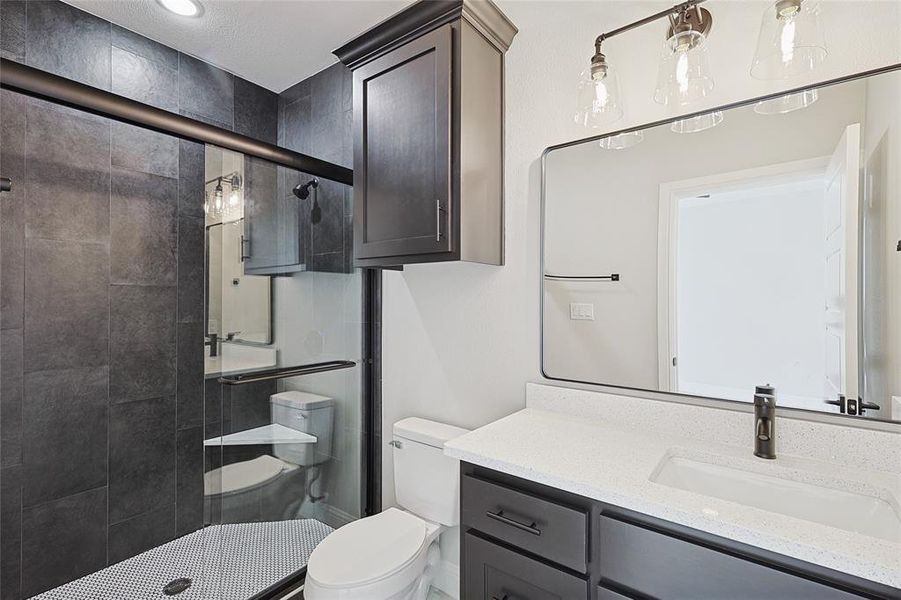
x=373, y=557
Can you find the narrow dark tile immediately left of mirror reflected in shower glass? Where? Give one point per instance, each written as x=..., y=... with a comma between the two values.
x=190, y=269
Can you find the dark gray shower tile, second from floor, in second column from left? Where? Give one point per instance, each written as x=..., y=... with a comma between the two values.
x=64, y=433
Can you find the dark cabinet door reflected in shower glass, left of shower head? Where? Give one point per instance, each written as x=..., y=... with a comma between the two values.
x=271, y=220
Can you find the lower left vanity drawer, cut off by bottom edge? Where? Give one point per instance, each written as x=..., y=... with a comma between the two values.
x=493, y=572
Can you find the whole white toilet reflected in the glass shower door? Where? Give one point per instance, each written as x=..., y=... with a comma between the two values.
x=272, y=487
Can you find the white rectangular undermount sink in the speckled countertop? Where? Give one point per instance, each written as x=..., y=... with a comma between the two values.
x=845, y=506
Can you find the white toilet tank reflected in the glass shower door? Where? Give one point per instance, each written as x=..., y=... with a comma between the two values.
x=309, y=413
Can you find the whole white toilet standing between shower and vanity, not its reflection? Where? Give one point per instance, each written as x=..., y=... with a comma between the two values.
x=393, y=555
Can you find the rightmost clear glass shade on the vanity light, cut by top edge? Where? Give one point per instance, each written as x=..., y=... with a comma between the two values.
x=791, y=41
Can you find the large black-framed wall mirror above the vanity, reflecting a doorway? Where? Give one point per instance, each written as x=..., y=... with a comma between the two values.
x=764, y=249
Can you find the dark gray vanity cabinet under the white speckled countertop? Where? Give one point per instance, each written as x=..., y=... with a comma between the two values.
x=552, y=544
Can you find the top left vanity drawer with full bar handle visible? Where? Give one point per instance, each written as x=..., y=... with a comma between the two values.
x=554, y=531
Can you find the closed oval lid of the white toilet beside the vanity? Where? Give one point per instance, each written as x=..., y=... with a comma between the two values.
x=367, y=550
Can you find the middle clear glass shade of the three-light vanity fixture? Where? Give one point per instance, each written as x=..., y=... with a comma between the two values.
x=683, y=76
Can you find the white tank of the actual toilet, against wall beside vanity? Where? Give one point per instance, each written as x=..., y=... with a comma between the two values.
x=426, y=482
